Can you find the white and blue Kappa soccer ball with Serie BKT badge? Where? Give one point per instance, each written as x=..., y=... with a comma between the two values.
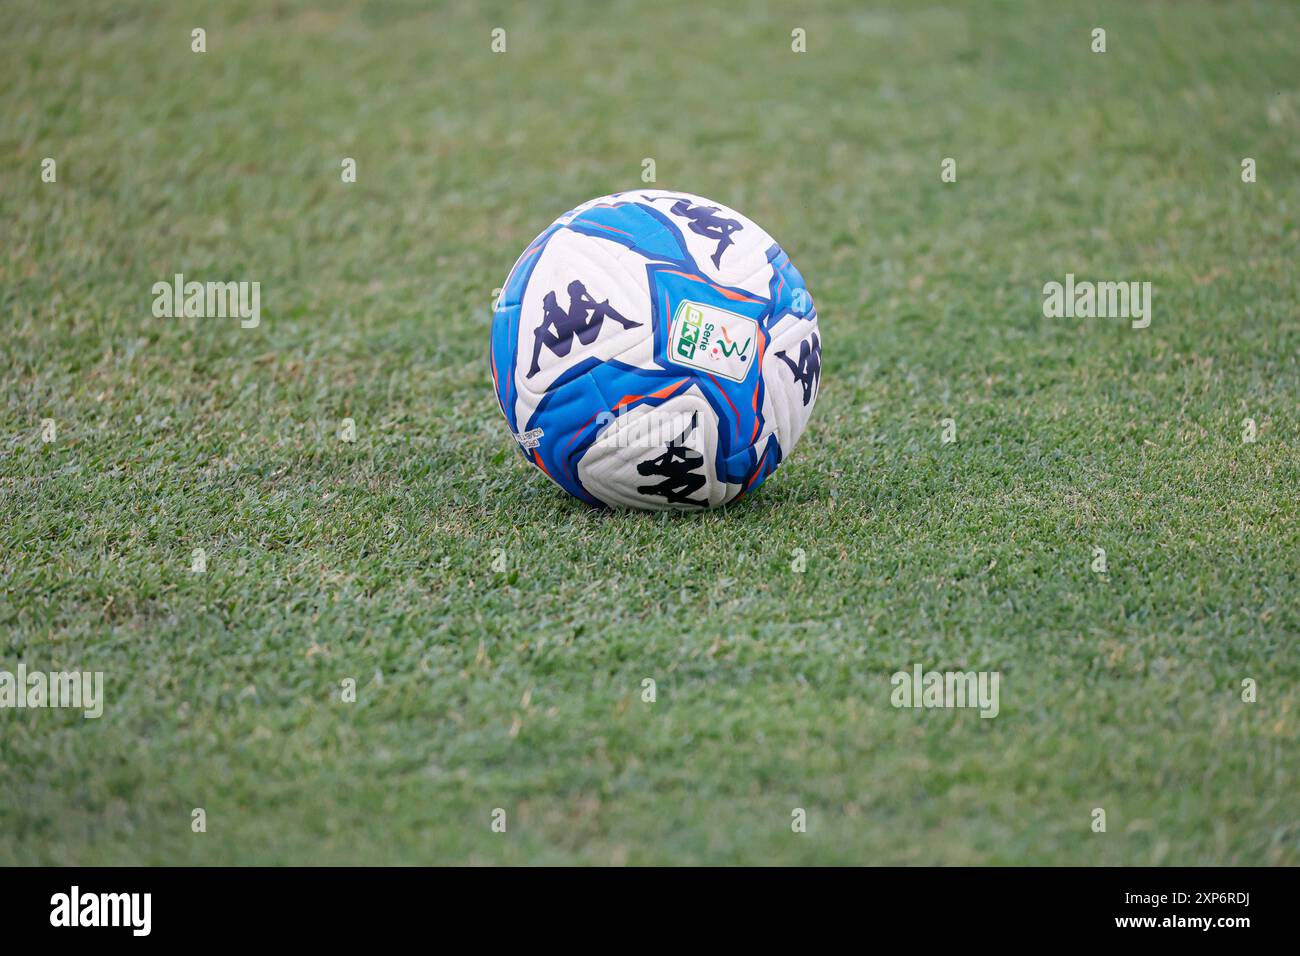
x=656, y=351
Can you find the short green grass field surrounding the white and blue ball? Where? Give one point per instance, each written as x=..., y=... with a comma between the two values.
x=522, y=690
